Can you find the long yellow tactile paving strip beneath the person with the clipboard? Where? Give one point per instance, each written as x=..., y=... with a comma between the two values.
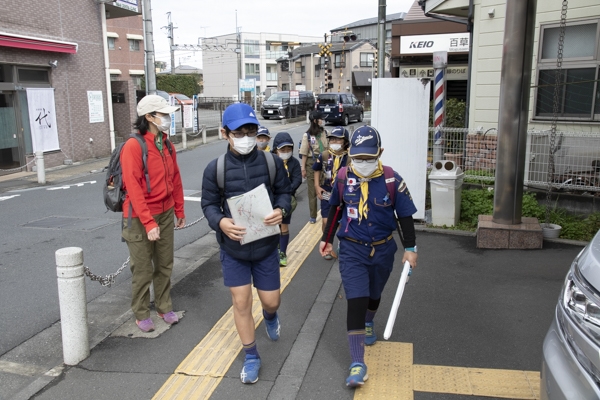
x=201, y=371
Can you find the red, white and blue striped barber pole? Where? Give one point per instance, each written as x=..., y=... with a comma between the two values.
x=440, y=60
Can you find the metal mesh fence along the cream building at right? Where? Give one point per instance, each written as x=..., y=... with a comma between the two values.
x=576, y=157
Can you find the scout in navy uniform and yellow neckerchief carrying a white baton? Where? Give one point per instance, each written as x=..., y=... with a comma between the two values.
x=367, y=247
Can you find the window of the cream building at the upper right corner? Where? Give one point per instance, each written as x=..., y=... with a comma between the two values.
x=579, y=91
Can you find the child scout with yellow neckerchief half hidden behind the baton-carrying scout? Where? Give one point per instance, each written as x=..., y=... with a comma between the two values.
x=336, y=157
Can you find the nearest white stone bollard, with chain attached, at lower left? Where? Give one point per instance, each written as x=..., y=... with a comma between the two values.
x=73, y=304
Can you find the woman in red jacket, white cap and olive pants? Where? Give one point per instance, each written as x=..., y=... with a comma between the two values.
x=149, y=230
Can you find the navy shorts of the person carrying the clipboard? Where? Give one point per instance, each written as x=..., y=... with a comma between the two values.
x=264, y=273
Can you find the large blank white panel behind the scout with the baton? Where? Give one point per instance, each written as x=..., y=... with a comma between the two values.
x=401, y=115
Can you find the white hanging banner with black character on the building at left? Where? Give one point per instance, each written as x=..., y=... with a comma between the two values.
x=42, y=119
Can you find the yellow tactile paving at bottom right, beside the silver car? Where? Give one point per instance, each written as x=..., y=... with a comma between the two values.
x=393, y=375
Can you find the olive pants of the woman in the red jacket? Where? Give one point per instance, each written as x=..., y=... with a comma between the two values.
x=150, y=262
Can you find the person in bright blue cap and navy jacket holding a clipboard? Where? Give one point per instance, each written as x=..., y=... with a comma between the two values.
x=256, y=262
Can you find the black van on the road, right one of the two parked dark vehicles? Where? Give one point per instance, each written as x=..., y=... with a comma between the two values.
x=340, y=108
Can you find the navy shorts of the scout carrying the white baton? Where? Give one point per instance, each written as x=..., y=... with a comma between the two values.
x=364, y=276
